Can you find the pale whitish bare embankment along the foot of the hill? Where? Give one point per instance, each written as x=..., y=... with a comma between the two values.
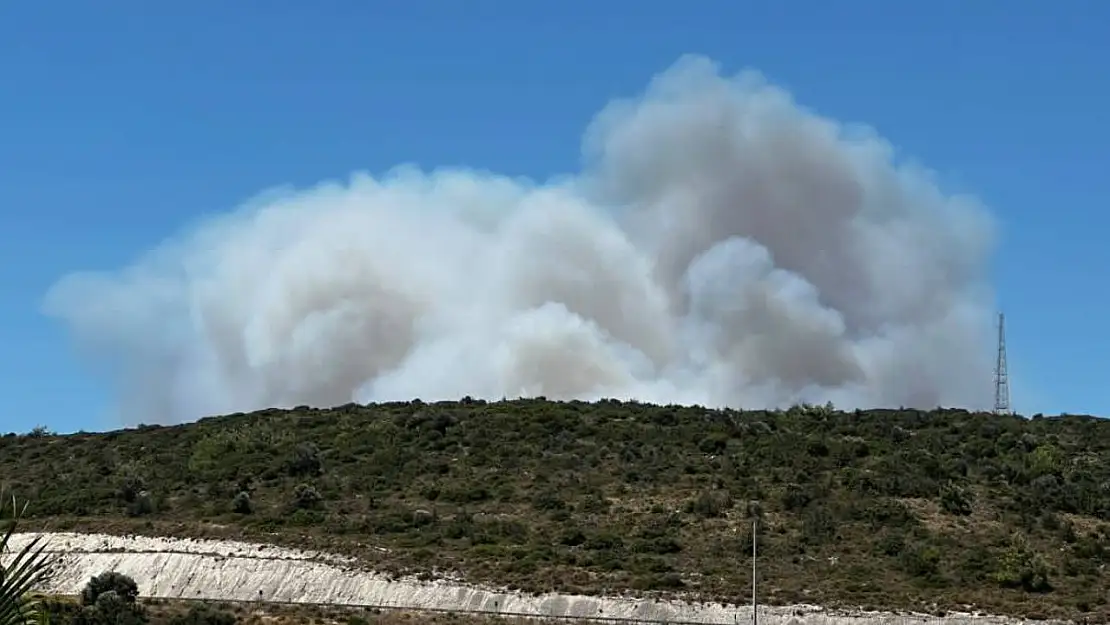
x=244, y=572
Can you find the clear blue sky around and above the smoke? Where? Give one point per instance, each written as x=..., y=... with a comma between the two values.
x=124, y=123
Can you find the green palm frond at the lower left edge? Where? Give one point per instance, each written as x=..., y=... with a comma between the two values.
x=29, y=568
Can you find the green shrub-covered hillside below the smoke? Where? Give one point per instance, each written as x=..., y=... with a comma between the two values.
x=933, y=511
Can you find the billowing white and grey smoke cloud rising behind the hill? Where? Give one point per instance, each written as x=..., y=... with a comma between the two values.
x=721, y=247
